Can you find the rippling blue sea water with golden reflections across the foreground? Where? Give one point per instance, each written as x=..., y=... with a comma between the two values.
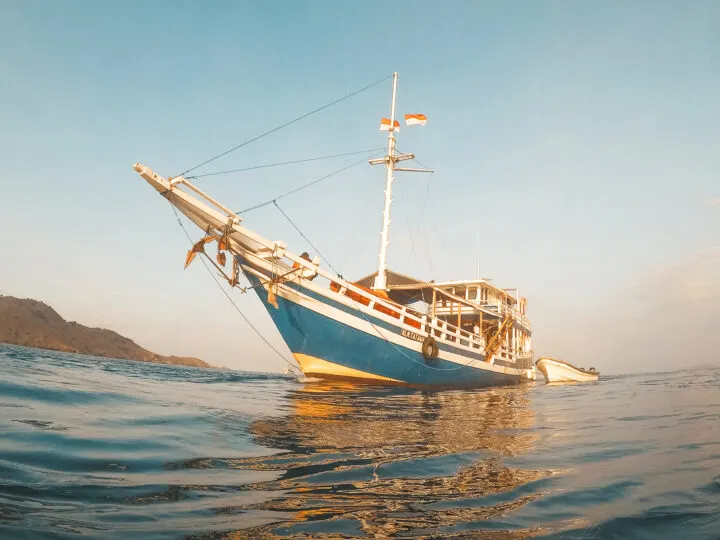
x=99, y=448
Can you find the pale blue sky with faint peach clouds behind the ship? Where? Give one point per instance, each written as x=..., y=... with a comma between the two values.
x=578, y=140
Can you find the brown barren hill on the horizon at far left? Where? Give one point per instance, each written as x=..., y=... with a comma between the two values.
x=34, y=324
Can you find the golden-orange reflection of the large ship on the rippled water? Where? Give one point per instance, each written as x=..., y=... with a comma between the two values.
x=382, y=461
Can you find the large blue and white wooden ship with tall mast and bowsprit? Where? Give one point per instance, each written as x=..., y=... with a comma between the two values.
x=385, y=328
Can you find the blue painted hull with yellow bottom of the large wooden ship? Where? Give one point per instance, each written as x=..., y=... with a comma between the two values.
x=328, y=348
